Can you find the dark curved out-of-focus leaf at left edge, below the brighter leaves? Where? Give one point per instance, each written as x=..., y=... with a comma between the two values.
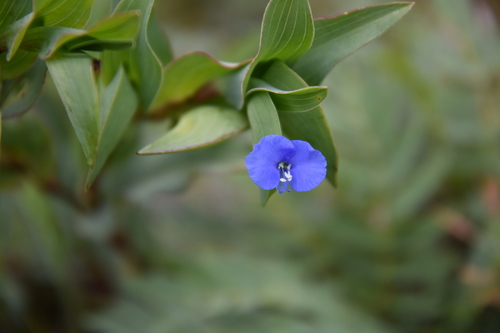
x=20, y=93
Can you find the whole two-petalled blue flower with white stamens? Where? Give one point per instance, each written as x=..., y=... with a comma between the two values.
x=277, y=162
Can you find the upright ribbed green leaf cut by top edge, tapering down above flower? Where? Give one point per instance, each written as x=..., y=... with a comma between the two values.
x=287, y=33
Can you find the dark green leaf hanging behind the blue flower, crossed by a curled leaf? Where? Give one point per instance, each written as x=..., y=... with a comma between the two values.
x=310, y=126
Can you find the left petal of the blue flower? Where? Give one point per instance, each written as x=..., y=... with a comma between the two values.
x=262, y=162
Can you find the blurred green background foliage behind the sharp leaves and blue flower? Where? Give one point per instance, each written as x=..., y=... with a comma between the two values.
x=408, y=242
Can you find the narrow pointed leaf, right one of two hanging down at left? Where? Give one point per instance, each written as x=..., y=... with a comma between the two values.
x=118, y=104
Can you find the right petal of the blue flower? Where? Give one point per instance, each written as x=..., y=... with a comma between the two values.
x=308, y=167
